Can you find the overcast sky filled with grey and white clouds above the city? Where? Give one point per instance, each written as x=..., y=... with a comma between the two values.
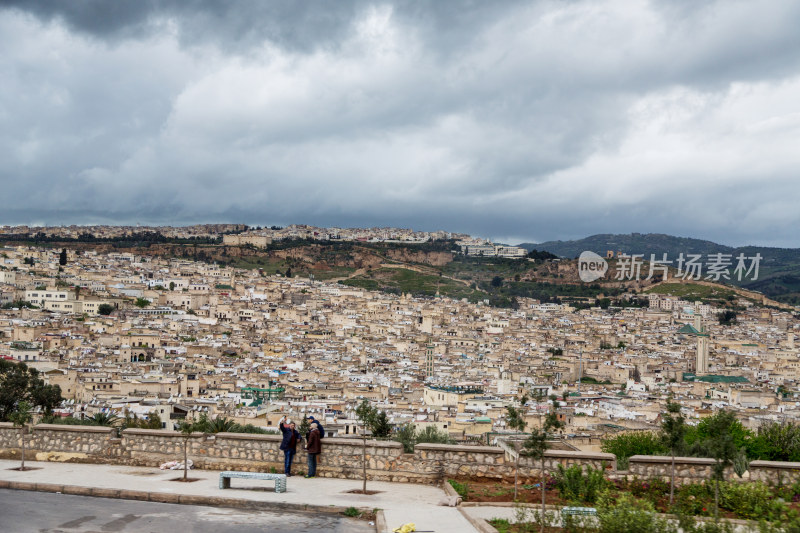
x=521, y=121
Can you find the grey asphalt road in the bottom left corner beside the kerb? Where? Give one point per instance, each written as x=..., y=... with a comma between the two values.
x=40, y=512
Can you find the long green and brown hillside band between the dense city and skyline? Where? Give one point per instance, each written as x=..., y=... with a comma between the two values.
x=437, y=268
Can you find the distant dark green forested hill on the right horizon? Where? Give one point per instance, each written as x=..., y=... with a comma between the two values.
x=779, y=271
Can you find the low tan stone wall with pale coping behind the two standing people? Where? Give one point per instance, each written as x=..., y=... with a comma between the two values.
x=341, y=457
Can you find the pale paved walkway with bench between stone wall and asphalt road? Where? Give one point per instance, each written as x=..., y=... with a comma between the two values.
x=401, y=502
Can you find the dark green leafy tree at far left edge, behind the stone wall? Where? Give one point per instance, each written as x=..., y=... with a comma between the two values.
x=18, y=382
